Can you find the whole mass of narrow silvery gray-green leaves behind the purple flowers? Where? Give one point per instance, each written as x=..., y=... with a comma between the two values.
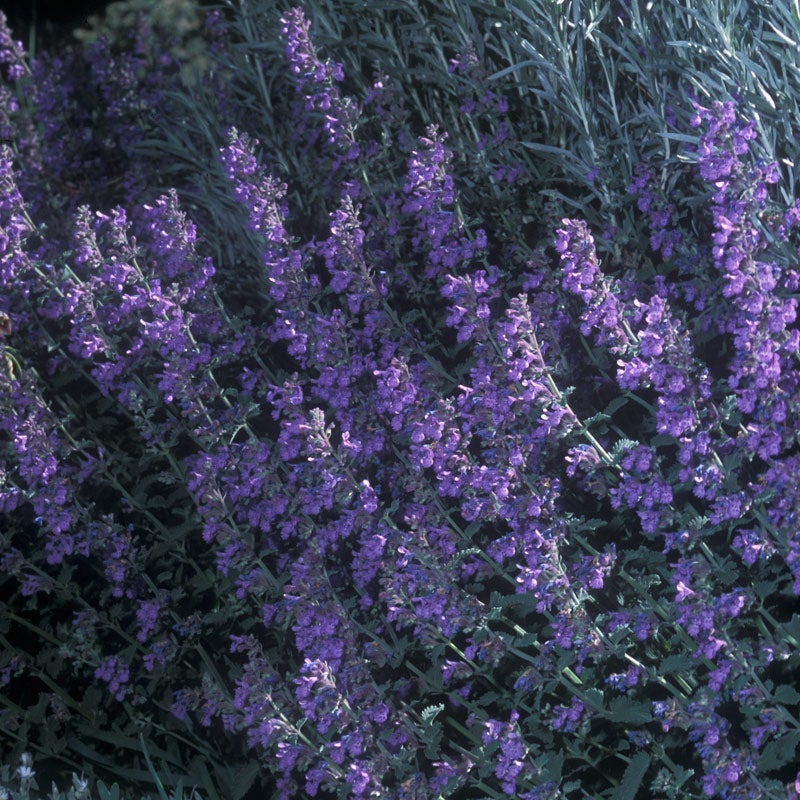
x=594, y=86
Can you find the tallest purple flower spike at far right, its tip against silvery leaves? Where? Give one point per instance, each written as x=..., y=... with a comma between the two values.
x=761, y=371
